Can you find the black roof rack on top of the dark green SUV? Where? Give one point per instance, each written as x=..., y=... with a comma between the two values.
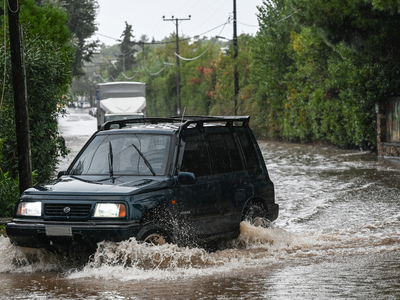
x=181, y=122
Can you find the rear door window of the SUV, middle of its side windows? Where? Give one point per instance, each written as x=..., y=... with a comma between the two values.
x=225, y=156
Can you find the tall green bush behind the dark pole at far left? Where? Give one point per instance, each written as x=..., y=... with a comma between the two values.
x=48, y=57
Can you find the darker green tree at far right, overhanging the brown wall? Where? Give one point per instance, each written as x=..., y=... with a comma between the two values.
x=366, y=41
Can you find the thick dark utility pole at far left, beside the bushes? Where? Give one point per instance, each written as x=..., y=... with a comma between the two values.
x=20, y=99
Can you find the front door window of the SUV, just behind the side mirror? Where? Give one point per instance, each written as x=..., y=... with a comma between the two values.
x=195, y=156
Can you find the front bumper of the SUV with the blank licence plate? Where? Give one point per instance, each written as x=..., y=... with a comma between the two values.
x=68, y=235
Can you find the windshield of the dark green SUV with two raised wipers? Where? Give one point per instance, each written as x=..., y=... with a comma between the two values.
x=124, y=154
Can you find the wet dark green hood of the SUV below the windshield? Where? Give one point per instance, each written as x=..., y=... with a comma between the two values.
x=94, y=185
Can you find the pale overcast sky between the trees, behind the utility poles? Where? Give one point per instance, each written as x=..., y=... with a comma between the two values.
x=146, y=17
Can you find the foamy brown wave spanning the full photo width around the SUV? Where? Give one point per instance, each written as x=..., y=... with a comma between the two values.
x=130, y=260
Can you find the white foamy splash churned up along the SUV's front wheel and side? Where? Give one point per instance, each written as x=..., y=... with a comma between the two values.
x=130, y=260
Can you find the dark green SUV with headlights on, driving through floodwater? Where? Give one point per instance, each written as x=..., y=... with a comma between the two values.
x=188, y=180
